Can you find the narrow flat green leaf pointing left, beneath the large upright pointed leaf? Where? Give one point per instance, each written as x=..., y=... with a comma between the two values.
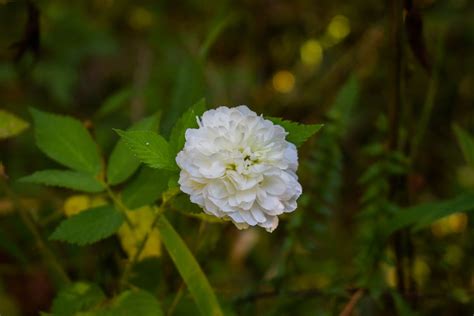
x=66, y=179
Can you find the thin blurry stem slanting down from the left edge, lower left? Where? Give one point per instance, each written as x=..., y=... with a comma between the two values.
x=48, y=256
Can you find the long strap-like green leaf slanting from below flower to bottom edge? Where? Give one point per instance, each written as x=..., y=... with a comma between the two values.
x=189, y=269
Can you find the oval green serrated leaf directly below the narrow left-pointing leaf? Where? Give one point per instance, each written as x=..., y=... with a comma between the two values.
x=89, y=226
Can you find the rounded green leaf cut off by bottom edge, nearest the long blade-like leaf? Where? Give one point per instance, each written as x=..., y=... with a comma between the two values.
x=134, y=302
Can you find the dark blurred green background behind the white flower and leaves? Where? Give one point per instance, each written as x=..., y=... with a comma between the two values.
x=111, y=62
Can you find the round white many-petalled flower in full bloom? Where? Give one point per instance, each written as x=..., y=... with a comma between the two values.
x=238, y=165
